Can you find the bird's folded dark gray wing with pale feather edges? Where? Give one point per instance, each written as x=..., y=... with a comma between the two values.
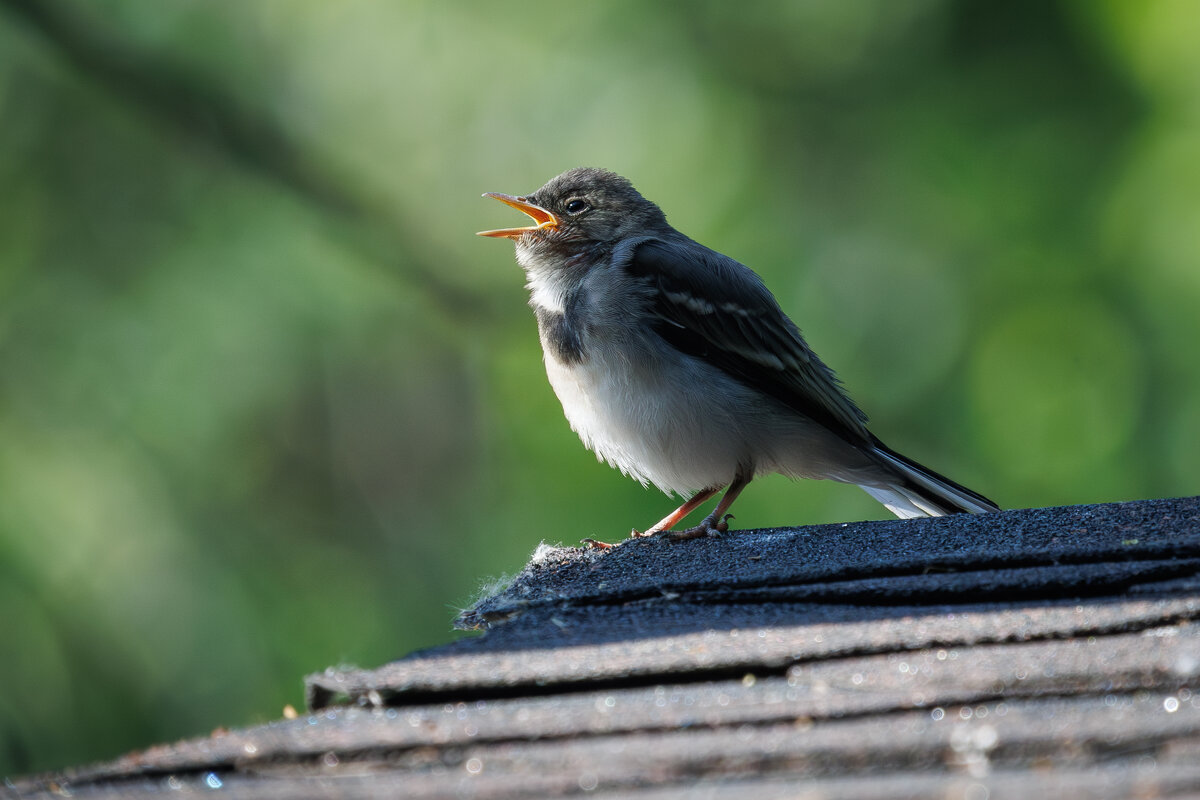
x=710, y=306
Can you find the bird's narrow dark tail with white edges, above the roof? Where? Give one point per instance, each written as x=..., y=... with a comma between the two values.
x=921, y=492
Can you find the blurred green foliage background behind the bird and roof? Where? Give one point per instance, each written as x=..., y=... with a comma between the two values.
x=267, y=405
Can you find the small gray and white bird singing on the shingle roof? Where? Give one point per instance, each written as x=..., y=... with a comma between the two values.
x=676, y=365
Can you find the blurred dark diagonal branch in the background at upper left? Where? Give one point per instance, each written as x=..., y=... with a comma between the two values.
x=176, y=95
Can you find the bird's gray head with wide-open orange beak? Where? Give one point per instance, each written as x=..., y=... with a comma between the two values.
x=580, y=209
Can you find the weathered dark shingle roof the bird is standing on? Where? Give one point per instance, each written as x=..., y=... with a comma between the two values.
x=1049, y=652
